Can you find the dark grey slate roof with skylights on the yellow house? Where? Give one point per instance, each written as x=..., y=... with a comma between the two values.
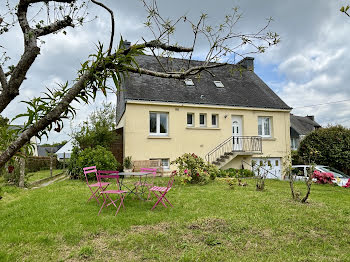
x=243, y=89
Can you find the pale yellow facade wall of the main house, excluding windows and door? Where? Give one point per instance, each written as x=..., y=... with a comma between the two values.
x=181, y=139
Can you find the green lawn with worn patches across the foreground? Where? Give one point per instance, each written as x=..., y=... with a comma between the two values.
x=207, y=223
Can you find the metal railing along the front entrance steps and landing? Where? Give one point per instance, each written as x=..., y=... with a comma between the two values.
x=235, y=144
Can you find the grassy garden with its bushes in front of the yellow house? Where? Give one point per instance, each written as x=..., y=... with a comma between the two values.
x=217, y=215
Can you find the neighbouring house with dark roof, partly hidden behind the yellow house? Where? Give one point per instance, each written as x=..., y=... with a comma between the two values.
x=300, y=126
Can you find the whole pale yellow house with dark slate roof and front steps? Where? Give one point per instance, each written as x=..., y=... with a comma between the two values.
x=229, y=116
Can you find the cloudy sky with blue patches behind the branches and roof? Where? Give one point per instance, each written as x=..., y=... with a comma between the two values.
x=308, y=69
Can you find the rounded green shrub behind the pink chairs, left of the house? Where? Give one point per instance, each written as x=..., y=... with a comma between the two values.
x=99, y=156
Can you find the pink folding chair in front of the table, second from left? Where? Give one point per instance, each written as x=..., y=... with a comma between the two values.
x=106, y=193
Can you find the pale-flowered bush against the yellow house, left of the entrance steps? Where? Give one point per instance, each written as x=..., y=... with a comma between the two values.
x=193, y=169
